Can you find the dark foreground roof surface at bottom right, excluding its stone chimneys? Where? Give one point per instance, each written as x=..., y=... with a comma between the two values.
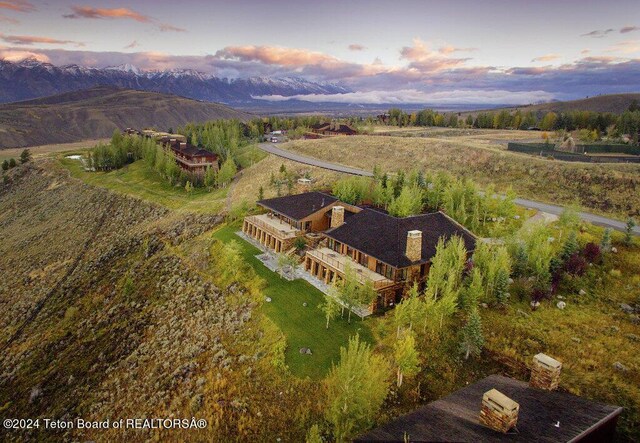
x=545, y=416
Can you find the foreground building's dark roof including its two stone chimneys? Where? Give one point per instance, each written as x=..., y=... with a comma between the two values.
x=500, y=409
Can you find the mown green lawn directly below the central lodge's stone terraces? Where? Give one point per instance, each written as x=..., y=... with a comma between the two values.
x=303, y=326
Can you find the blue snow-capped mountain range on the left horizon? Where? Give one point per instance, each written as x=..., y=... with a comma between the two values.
x=31, y=78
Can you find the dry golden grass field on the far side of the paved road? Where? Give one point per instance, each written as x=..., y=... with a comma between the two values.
x=609, y=189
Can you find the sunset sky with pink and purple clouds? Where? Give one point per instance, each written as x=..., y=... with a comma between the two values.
x=405, y=51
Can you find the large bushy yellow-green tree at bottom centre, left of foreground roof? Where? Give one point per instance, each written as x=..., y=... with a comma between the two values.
x=355, y=389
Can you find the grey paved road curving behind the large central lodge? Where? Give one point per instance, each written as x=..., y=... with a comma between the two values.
x=598, y=220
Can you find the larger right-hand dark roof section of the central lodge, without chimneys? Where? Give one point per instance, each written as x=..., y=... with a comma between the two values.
x=384, y=237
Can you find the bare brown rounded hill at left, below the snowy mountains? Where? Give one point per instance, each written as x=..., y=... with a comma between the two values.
x=96, y=112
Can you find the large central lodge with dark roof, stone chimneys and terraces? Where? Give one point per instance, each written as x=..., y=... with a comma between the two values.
x=390, y=252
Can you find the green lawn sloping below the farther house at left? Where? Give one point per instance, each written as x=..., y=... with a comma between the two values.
x=140, y=181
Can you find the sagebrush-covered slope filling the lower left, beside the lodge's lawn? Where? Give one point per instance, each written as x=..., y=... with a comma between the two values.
x=102, y=318
